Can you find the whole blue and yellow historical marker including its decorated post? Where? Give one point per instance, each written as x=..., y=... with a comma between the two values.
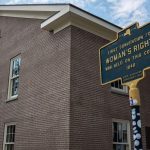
x=126, y=59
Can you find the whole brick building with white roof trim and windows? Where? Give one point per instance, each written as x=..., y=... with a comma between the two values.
x=50, y=92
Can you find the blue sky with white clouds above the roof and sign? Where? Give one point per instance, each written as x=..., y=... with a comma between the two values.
x=119, y=12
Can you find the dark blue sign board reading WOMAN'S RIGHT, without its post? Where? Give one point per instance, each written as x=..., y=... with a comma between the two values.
x=127, y=57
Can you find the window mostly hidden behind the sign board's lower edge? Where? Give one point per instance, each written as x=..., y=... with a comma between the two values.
x=117, y=87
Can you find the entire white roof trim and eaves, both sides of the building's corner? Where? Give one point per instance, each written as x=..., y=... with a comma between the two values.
x=59, y=16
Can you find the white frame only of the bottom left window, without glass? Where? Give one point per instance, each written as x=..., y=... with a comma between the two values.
x=5, y=134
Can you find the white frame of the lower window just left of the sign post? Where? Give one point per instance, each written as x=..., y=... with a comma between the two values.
x=128, y=131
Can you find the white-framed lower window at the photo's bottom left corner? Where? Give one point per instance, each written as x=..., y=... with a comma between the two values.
x=9, y=137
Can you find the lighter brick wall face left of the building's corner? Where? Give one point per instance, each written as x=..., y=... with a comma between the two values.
x=41, y=111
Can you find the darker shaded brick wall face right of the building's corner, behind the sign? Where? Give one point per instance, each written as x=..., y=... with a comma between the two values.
x=93, y=106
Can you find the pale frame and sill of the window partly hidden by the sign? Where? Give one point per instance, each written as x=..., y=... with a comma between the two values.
x=124, y=90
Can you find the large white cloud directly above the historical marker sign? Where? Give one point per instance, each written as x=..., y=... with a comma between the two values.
x=126, y=12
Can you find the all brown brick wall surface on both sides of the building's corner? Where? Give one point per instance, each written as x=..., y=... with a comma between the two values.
x=61, y=104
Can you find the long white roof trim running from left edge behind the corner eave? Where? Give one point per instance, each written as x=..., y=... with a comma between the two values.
x=30, y=11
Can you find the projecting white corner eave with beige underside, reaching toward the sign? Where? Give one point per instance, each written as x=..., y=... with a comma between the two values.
x=76, y=17
